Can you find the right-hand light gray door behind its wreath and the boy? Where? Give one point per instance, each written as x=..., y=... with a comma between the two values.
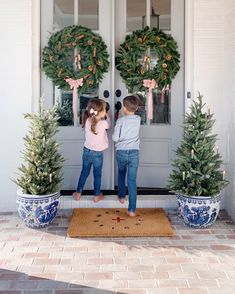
x=160, y=137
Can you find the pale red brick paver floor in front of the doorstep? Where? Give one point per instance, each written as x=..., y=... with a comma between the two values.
x=194, y=261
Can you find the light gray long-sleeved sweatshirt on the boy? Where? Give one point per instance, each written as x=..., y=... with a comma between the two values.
x=126, y=132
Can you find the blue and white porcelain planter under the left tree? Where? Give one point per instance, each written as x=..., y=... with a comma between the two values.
x=37, y=211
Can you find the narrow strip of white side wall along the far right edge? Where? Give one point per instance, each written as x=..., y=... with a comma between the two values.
x=229, y=98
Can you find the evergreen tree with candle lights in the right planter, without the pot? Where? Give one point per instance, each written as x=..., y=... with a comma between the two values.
x=198, y=163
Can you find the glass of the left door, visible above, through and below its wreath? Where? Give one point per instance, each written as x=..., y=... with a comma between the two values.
x=87, y=14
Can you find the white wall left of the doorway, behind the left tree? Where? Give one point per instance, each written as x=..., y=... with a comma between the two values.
x=16, y=90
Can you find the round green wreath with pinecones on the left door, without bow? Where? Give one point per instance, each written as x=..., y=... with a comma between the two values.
x=89, y=63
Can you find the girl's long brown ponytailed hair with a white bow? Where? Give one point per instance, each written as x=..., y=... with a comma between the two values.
x=94, y=107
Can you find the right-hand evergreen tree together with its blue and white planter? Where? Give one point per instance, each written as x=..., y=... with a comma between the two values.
x=197, y=178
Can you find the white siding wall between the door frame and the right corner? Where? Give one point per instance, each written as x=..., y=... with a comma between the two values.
x=210, y=49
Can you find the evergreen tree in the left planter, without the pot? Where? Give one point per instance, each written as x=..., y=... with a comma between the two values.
x=40, y=174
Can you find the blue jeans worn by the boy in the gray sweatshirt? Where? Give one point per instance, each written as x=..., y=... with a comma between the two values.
x=128, y=162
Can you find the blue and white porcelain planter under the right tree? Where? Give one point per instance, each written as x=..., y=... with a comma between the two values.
x=198, y=211
